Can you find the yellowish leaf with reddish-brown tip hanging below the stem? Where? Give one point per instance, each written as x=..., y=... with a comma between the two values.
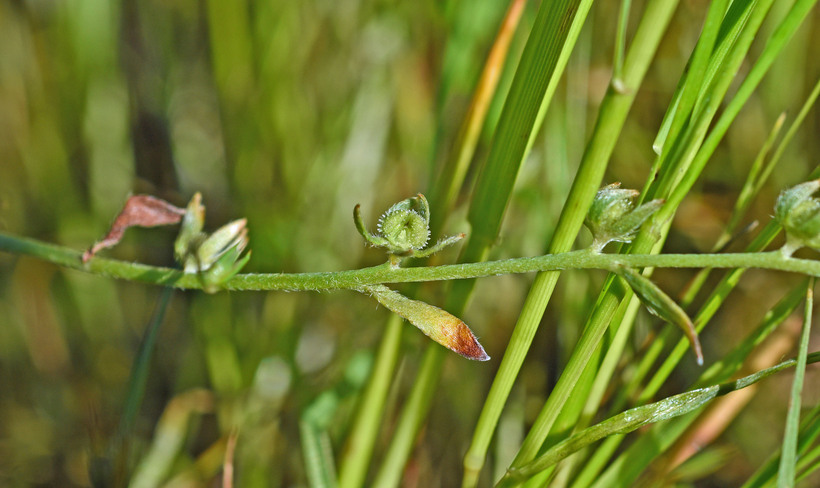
x=437, y=324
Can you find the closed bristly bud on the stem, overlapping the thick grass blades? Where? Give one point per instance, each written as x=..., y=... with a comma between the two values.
x=613, y=215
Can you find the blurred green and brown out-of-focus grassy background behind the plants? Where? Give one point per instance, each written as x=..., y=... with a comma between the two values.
x=289, y=114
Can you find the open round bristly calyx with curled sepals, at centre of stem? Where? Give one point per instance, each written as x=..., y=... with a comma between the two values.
x=404, y=230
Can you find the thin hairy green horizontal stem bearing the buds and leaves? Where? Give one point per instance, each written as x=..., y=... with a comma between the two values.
x=351, y=279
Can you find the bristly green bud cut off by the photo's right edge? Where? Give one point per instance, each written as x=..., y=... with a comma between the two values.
x=799, y=214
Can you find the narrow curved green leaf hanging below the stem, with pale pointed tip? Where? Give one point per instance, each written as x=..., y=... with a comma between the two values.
x=659, y=303
